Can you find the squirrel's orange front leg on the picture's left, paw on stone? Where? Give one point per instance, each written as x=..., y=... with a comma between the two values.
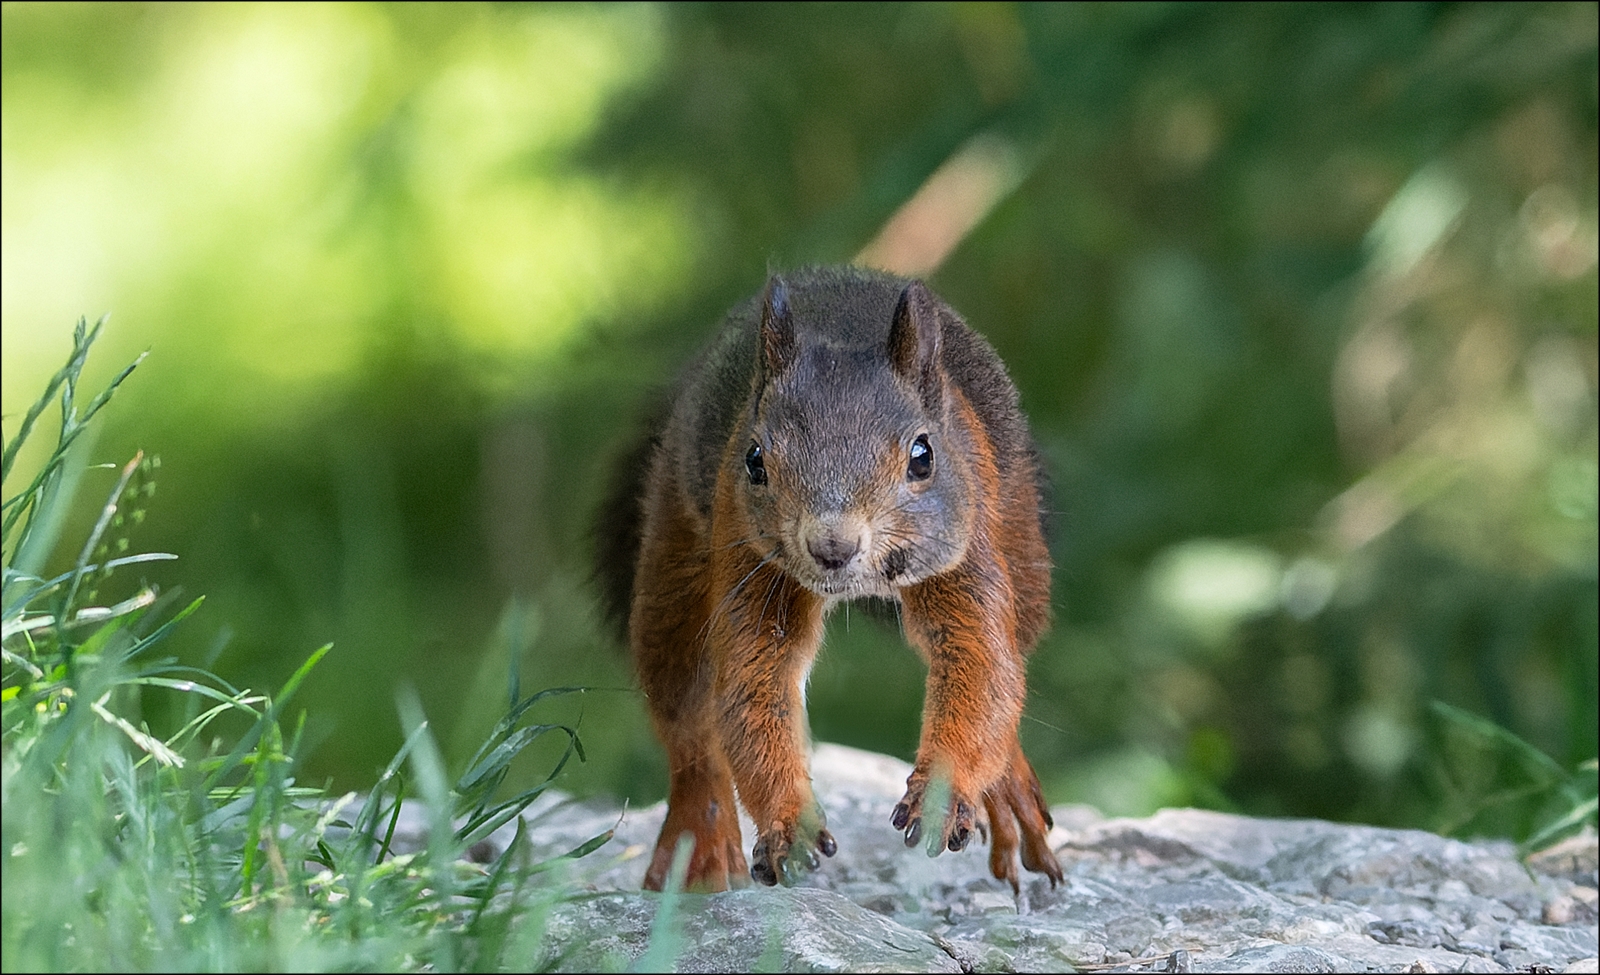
x=764, y=644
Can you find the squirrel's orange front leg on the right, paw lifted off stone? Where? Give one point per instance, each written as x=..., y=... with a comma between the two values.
x=964, y=625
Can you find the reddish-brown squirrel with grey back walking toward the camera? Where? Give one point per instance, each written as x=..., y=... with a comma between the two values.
x=846, y=435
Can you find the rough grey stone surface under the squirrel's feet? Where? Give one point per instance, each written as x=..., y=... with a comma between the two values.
x=1183, y=891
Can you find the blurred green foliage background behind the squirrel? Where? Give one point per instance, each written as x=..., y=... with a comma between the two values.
x=1302, y=302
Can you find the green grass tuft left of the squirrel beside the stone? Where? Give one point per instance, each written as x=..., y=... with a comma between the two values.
x=198, y=849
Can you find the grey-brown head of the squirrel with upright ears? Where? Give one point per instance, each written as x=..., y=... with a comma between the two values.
x=854, y=476
